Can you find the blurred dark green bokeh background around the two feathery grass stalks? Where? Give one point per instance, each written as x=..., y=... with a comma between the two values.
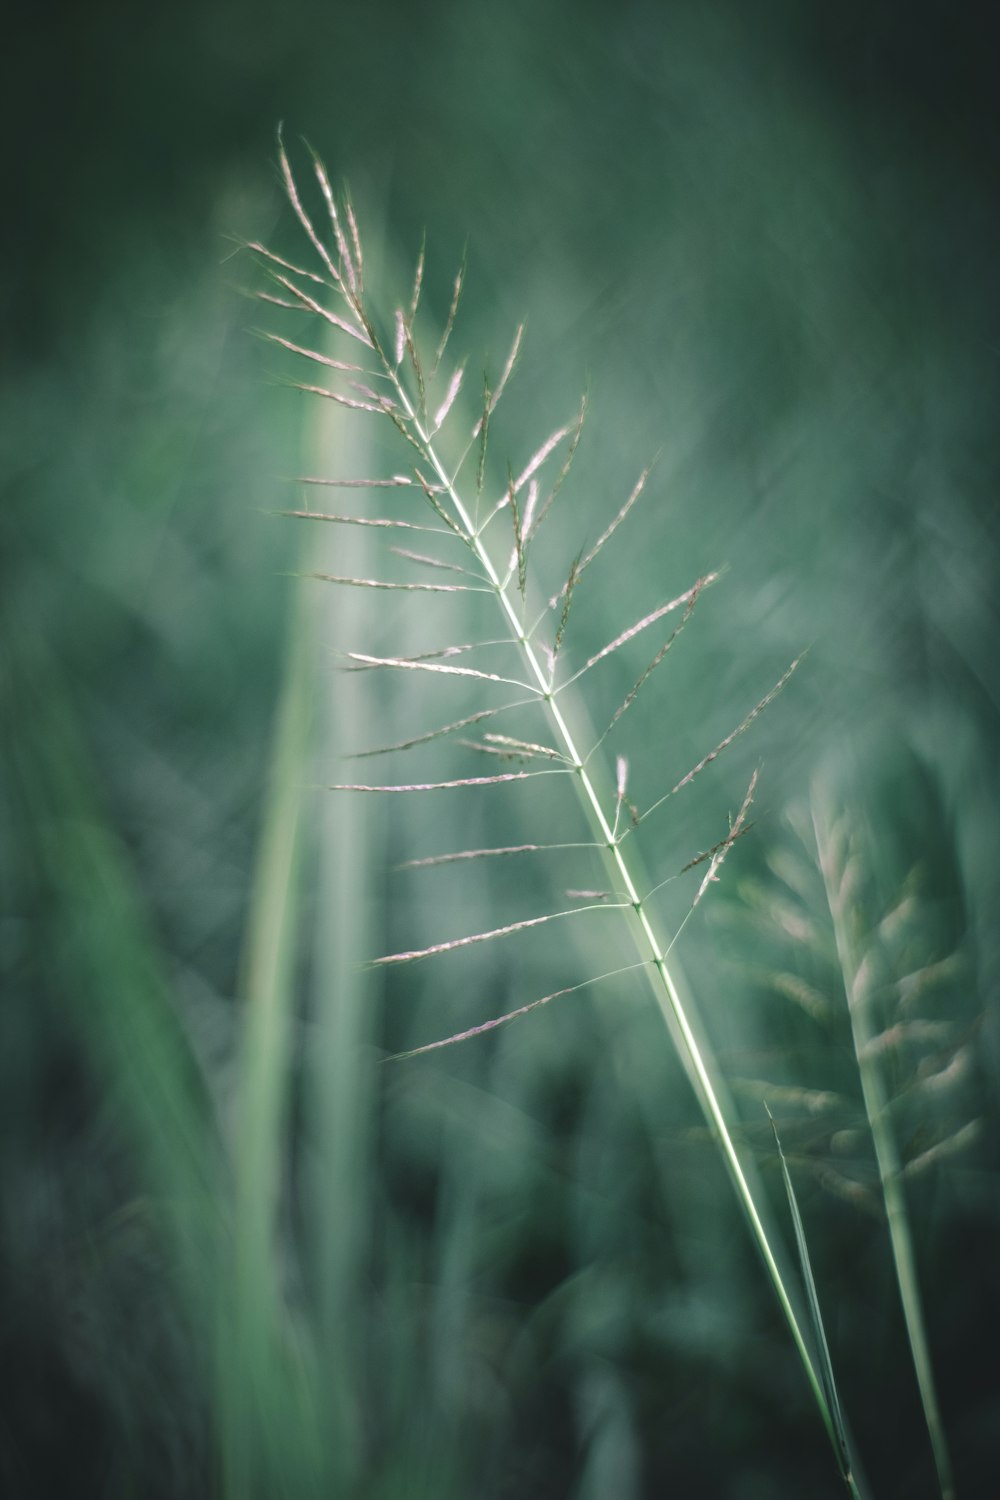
x=239, y=1255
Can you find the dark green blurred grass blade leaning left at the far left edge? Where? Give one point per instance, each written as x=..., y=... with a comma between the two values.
x=104, y=964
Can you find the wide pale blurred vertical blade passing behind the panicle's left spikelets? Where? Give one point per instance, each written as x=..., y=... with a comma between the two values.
x=340, y=1090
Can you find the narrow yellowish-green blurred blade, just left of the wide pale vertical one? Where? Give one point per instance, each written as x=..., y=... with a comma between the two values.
x=271, y=1426
